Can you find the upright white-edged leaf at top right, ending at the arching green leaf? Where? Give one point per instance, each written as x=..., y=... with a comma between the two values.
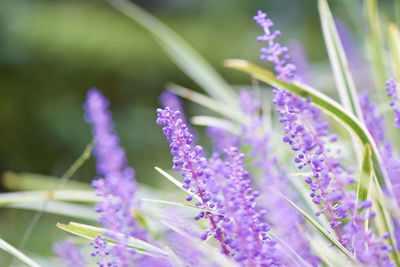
x=341, y=72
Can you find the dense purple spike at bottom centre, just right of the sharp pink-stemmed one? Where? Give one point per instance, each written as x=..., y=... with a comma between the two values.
x=244, y=225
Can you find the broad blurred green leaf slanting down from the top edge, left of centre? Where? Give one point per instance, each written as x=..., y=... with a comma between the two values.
x=180, y=52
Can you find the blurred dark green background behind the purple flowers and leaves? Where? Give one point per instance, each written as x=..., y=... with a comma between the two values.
x=52, y=52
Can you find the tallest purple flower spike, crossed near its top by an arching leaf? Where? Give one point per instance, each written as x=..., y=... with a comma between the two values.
x=308, y=134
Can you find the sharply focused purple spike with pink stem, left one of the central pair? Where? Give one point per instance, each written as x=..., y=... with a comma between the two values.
x=193, y=167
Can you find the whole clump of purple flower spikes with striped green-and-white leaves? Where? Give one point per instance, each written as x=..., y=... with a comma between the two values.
x=293, y=177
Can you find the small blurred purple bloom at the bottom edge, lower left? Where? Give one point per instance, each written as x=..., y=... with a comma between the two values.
x=69, y=254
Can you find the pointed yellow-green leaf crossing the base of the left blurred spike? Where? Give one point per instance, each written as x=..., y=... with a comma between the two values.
x=90, y=232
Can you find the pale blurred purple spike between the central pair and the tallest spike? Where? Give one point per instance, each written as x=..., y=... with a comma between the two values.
x=285, y=219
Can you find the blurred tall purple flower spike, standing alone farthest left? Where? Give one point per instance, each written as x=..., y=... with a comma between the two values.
x=116, y=185
